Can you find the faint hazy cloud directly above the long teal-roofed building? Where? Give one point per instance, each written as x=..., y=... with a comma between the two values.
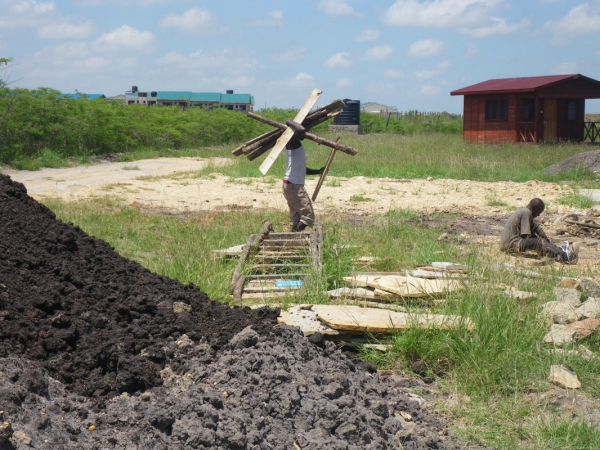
x=228, y=59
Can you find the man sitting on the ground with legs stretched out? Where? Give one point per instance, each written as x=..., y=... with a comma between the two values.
x=522, y=233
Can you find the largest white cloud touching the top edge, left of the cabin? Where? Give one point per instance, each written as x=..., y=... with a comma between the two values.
x=474, y=17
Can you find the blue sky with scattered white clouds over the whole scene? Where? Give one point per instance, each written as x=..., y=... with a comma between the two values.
x=404, y=53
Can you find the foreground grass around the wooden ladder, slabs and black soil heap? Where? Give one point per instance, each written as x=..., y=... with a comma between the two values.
x=489, y=378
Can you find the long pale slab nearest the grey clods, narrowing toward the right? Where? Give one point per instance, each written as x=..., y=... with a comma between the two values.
x=372, y=320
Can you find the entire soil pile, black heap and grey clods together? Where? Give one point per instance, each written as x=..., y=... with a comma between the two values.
x=96, y=352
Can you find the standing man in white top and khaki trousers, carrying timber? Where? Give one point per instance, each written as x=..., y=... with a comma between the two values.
x=301, y=210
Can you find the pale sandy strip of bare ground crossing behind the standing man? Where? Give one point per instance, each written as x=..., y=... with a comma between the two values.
x=172, y=186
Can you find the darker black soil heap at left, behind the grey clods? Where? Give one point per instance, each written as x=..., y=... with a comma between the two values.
x=94, y=319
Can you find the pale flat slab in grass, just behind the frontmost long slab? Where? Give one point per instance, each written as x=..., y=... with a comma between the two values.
x=406, y=286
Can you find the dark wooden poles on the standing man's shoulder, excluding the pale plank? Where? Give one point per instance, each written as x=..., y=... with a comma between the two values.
x=263, y=143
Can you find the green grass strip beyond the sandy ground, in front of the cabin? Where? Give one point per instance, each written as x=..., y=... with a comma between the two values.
x=420, y=156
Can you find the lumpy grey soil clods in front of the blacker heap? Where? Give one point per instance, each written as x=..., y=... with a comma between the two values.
x=279, y=392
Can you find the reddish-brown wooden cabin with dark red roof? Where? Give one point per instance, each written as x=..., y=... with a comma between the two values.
x=531, y=109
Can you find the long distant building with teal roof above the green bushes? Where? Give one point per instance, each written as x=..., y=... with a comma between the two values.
x=187, y=99
